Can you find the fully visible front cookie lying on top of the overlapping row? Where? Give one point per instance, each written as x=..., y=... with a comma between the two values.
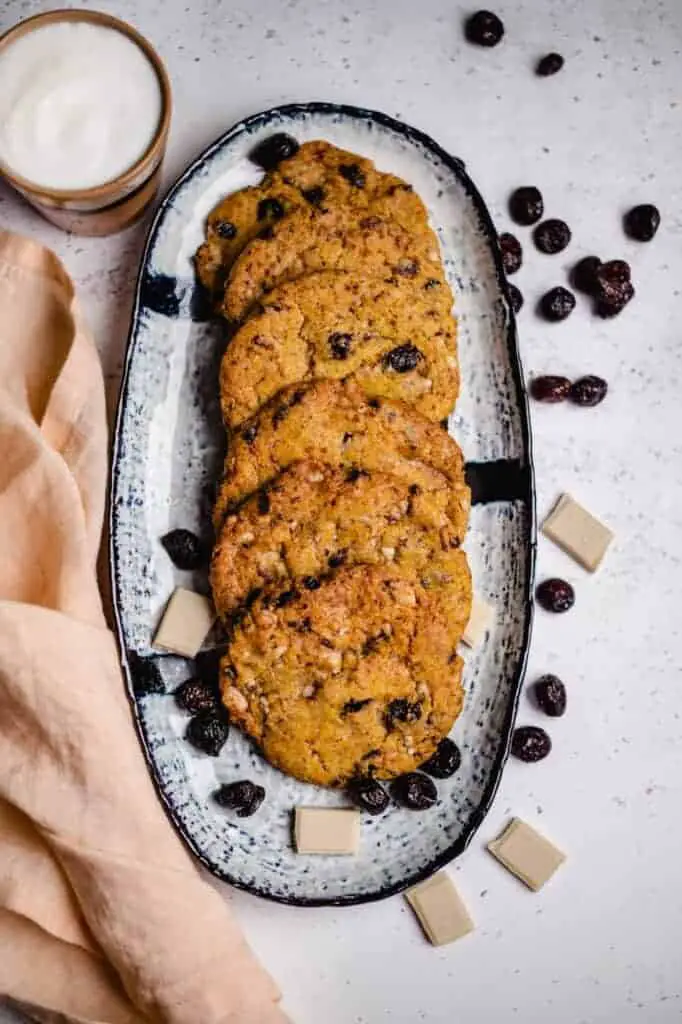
x=355, y=678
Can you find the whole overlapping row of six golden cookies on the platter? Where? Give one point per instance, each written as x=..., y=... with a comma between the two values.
x=337, y=570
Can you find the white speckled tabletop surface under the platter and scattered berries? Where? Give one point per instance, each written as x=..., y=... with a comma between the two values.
x=602, y=945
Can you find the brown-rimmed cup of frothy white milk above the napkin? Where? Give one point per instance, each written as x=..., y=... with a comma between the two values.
x=86, y=106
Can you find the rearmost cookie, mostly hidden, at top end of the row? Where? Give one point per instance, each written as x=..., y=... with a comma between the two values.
x=317, y=176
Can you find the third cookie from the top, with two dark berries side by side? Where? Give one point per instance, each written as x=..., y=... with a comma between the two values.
x=394, y=337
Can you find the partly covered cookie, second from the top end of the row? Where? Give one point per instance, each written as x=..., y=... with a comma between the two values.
x=390, y=238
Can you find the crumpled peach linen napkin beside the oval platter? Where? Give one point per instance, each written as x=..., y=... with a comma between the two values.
x=104, y=916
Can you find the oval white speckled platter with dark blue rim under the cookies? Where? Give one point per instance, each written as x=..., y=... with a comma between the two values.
x=168, y=451
